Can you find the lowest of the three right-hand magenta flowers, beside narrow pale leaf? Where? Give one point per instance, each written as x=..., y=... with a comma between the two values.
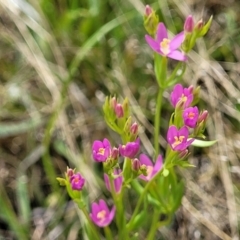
x=178, y=139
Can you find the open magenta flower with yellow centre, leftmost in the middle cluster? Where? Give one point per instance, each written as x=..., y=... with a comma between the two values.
x=101, y=150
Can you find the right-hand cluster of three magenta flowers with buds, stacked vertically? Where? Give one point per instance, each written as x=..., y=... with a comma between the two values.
x=186, y=119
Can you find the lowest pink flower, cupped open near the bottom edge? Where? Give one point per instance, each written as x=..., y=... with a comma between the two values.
x=101, y=215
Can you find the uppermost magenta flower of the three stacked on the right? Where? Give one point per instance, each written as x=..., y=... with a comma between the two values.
x=181, y=96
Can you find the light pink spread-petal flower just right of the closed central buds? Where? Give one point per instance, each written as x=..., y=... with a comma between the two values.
x=151, y=169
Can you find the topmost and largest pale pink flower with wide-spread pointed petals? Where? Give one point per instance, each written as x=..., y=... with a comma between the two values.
x=166, y=47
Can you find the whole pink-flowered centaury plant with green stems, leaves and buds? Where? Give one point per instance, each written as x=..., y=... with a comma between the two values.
x=152, y=178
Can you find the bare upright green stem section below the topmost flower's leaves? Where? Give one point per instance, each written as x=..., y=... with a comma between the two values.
x=157, y=121
